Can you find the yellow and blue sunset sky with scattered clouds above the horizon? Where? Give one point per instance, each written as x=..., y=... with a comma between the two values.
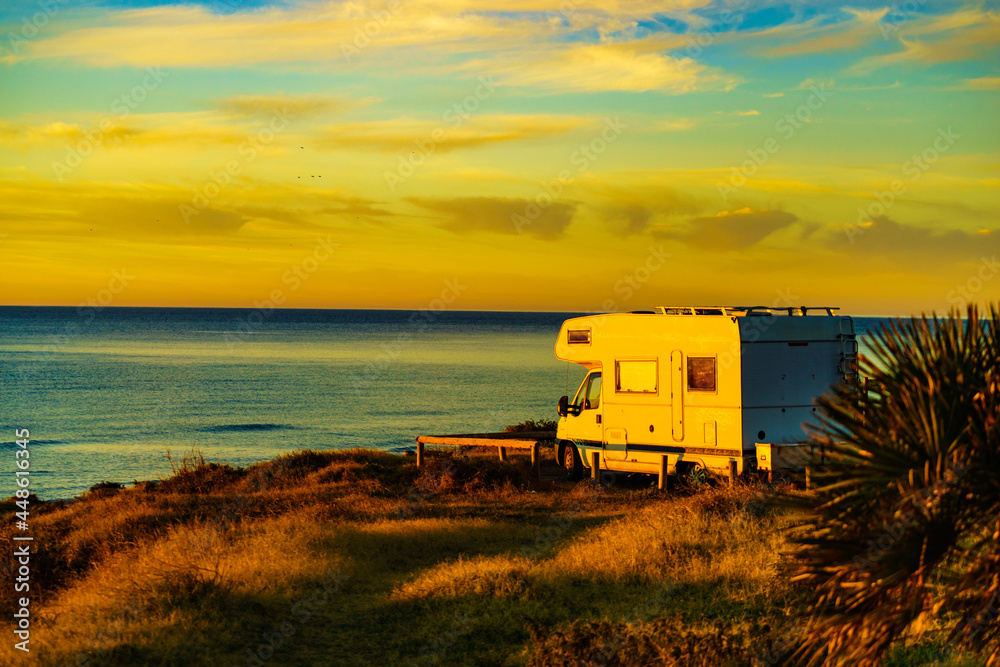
x=560, y=155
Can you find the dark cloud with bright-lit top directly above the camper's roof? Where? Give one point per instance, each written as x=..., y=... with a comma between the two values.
x=731, y=230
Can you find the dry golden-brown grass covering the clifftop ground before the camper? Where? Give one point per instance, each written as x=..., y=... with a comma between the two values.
x=359, y=554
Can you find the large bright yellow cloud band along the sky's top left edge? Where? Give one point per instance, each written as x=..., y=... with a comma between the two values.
x=318, y=32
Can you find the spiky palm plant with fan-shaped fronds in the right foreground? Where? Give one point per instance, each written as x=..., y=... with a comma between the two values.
x=904, y=526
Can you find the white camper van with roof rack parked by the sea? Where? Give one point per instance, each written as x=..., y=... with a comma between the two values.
x=703, y=386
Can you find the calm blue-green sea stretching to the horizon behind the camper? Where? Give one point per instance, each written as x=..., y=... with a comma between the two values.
x=122, y=394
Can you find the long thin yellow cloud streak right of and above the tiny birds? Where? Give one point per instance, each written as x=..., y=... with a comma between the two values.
x=451, y=133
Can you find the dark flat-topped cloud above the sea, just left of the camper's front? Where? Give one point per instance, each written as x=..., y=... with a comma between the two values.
x=500, y=215
